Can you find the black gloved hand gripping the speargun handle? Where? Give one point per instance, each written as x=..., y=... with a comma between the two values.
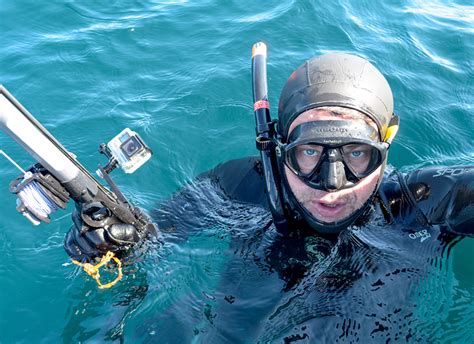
x=84, y=242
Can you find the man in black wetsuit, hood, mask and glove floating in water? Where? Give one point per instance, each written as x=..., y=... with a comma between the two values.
x=349, y=226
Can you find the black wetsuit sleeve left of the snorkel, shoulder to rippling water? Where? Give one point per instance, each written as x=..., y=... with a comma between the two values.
x=213, y=194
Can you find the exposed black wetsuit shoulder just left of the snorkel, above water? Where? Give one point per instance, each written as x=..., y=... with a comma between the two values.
x=241, y=180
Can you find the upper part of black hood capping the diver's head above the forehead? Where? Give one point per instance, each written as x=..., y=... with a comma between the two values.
x=336, y=79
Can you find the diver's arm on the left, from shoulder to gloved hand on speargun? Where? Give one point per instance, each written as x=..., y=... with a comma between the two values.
x=218, y=190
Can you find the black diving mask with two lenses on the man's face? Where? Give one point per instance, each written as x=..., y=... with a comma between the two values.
x=333, y=155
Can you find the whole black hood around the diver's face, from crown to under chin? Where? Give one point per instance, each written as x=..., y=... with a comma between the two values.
x=341, y=80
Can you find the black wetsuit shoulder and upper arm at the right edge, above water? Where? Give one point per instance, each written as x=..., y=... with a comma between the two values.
x=434, y=195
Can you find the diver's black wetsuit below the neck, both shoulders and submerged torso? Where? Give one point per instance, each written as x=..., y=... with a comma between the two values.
x=371, y=283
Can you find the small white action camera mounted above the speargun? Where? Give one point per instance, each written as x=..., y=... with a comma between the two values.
x=129, y=150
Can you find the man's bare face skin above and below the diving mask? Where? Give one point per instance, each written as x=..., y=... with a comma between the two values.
x=328, y=207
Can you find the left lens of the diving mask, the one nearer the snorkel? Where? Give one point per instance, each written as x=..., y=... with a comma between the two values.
x=304, y=158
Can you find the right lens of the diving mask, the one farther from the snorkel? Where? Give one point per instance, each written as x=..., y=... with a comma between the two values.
x=362, y=159
